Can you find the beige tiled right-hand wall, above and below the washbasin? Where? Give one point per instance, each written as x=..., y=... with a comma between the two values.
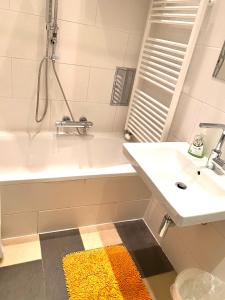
x=202, y=100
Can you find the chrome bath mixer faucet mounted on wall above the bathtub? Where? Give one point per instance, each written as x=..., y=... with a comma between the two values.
x=81, y=126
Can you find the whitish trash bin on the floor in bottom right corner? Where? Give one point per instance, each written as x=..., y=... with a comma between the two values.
x=195, y=284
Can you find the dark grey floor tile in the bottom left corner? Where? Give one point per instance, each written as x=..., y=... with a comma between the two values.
x=22, y=282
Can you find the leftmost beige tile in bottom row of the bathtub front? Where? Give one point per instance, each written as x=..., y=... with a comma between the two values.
x=19, y=224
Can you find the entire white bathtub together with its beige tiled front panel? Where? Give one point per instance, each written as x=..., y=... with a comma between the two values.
x=50, y=182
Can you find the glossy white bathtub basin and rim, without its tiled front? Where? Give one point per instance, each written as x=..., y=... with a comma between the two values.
x=47, y=157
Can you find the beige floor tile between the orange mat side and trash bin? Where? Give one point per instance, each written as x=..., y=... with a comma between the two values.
x=159, y=285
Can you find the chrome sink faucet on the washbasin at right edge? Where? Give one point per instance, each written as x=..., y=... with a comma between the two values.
x=214, y=161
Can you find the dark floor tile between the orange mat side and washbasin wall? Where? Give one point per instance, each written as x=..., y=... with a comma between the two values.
x=144, y=249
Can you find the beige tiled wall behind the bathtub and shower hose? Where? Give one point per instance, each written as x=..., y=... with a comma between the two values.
x=94, y=37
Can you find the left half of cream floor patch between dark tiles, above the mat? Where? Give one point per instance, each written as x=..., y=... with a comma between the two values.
x=90, y=237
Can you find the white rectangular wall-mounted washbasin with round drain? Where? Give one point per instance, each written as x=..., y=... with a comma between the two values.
x=162, y=165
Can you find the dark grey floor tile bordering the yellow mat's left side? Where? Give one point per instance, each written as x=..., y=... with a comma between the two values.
x=53, y=247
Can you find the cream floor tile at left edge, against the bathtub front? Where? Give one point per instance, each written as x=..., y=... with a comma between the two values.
x=21, y=250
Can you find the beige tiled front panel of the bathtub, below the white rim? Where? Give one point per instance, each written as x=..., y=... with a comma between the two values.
x=50, y=206
